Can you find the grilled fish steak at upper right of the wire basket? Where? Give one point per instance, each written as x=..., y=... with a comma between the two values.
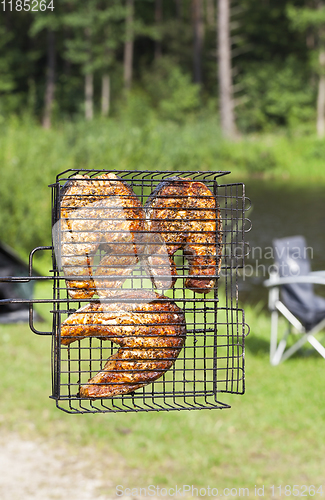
x=186, y=215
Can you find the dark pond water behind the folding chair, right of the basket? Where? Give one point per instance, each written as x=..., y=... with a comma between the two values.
x=281, y=209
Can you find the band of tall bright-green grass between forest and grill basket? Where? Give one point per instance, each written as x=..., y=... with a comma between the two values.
x=31, y=157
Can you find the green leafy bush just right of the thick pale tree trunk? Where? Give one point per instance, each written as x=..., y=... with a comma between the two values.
x=276, y=95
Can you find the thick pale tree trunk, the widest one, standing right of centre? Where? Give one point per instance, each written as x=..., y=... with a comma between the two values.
x=224, y=70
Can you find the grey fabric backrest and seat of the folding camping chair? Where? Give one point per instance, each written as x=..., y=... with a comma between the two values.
x=291, y=259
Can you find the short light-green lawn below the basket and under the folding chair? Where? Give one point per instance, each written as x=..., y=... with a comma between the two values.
x=272, y=435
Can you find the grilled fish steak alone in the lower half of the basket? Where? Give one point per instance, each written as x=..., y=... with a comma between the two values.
x=150, y=330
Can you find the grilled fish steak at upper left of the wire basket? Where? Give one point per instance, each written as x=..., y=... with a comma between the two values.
x=101, y=212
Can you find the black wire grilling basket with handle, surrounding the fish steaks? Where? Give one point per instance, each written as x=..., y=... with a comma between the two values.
x=212, y=360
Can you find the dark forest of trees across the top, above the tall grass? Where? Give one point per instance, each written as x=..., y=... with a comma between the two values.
x=260, y=64
